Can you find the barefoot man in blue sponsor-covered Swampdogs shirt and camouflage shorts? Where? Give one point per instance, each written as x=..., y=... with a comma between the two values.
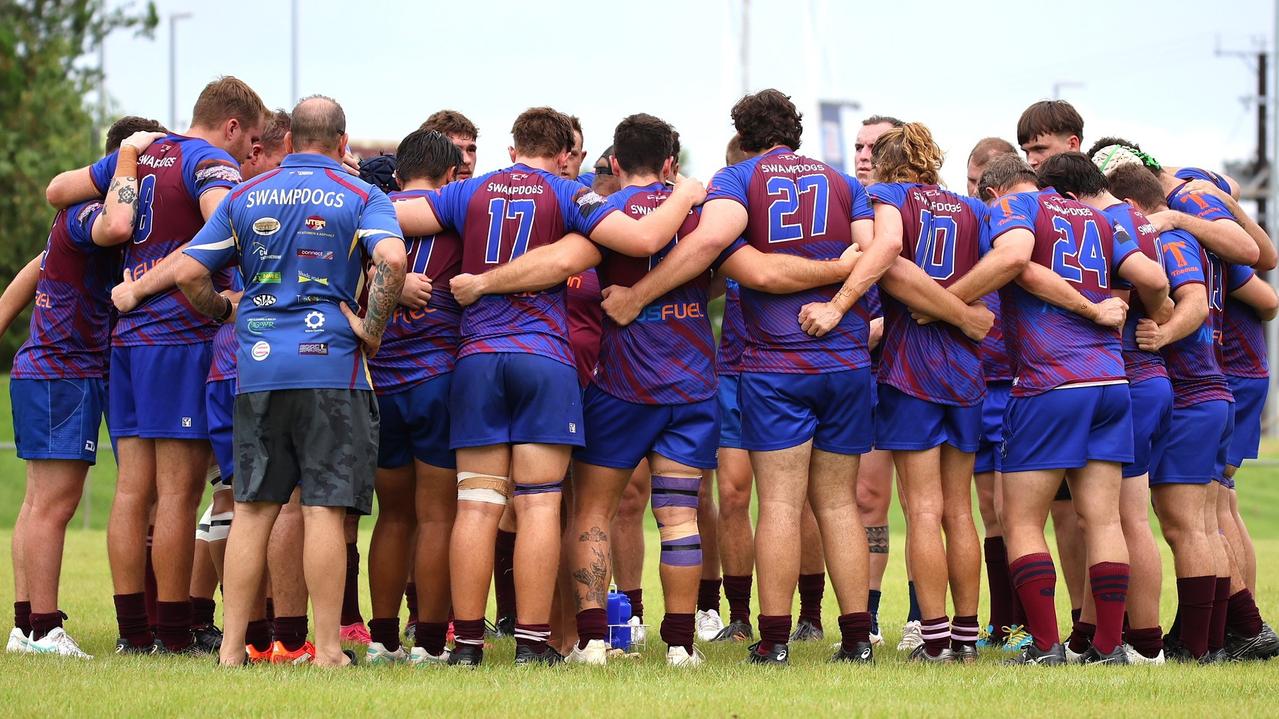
x=305, y=410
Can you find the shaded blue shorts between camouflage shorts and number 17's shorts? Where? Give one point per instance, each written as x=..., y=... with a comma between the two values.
x=416, y=425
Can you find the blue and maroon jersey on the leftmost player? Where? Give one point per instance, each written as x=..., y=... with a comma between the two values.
x=71, y=323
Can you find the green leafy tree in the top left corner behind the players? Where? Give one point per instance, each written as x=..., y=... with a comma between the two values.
x=47, y=123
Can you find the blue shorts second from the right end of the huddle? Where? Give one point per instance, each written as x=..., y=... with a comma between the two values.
x=1195, y=439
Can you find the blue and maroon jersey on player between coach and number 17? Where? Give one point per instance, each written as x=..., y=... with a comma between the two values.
x=420, y=345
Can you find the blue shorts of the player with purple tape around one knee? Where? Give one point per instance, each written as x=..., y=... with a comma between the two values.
x=621, y=434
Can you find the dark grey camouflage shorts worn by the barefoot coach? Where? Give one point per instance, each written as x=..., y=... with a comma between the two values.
x=324, y=441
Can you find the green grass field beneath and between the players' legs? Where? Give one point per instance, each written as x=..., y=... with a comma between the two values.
x=113, y=686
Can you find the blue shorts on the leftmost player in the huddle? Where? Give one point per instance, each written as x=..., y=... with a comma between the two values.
x=57, y=419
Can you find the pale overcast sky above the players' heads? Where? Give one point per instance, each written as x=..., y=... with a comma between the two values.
x=1148, y=71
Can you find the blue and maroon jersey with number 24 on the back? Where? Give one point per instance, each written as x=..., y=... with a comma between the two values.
x=1052, y=347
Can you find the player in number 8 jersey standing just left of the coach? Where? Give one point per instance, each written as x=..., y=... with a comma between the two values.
x=163, y=437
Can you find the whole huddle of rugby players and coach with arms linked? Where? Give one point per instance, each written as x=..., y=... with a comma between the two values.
x=517, y=363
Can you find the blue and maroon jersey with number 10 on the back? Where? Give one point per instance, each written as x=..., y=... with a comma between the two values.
x=942, y=233
